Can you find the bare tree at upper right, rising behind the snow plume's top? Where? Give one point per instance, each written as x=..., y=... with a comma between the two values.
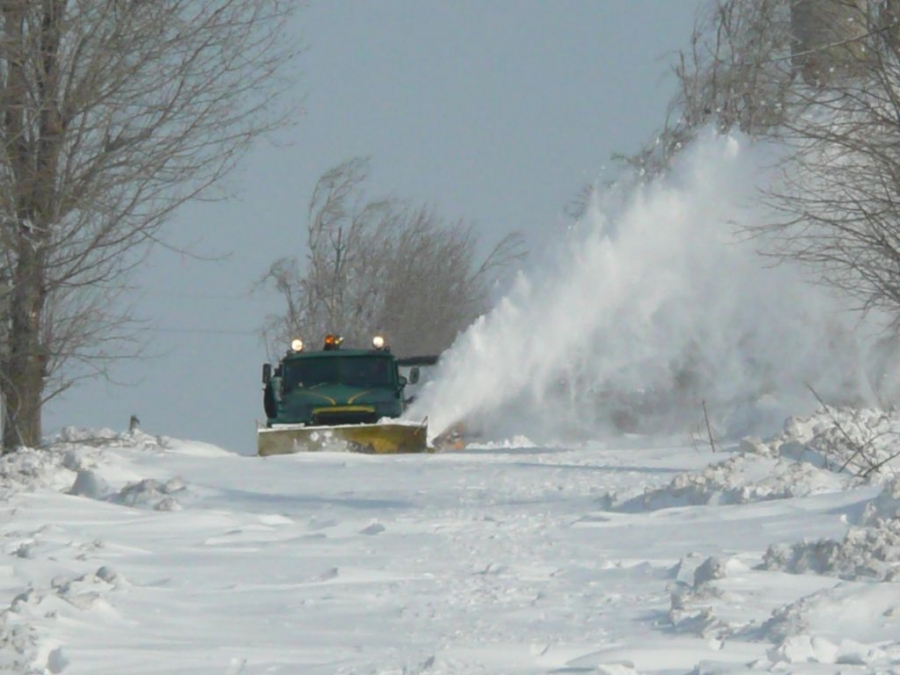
x=741, y=69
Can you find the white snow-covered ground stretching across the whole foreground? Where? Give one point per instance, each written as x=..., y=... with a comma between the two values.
x=130, y=553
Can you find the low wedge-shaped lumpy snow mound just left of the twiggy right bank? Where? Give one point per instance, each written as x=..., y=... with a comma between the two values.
x=740, y=479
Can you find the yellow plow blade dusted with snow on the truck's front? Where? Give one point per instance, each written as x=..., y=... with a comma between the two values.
x=375, y=439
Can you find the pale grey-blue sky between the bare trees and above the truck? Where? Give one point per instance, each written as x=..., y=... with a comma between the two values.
x=493, y=111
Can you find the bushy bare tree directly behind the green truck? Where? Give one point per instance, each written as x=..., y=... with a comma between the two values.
x=382, y=266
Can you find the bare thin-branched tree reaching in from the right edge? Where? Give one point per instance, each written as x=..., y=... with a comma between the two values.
x=838, y=202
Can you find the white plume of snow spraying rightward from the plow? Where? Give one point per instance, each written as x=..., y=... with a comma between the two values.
x=655, y=310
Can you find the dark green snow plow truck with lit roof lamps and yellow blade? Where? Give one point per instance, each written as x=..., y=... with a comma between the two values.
x=337, y=399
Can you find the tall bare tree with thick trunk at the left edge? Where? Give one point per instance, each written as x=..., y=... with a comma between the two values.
x=112, y=114
